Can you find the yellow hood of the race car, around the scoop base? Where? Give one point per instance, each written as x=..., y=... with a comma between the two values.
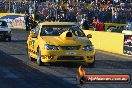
x=58, y=41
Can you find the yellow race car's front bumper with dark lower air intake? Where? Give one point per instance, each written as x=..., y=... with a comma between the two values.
x=67, y=56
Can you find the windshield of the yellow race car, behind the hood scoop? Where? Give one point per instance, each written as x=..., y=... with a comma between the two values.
x=58, y=30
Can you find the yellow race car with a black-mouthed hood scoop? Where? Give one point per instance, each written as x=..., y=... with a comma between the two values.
x=51, y=42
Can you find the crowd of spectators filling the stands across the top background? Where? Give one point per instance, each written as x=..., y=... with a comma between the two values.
x=58, y=10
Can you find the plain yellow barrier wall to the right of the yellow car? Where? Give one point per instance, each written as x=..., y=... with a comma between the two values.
x=107, y=41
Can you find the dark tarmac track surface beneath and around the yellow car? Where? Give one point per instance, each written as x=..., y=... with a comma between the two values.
x=16, y=71
